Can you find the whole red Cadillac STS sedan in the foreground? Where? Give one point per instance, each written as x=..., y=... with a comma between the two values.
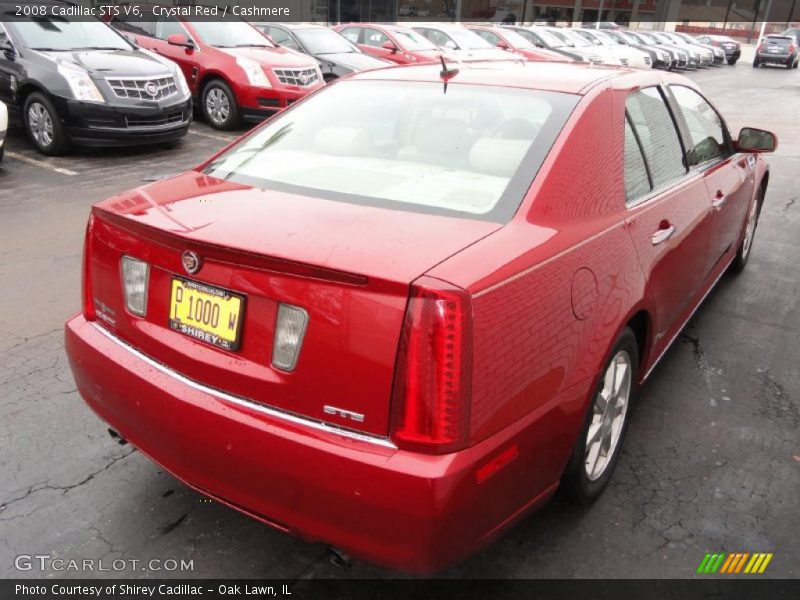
x=396, y=317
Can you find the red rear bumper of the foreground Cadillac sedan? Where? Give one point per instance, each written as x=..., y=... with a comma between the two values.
x=413, y=512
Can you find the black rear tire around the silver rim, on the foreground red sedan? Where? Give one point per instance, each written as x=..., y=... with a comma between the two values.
x=576, y=483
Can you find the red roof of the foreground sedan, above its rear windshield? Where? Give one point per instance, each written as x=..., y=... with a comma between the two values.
x=573, y=78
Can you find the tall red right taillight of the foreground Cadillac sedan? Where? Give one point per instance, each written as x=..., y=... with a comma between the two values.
x=430, y=403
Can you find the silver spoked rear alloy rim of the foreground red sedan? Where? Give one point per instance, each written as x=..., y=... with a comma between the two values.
x=608, y=416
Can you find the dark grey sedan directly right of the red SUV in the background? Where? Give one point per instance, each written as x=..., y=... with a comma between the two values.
x=336, y=55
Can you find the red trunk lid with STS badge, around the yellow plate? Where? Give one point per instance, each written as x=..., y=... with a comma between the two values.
x=347, y=266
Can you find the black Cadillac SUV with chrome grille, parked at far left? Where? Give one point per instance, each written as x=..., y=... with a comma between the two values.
x=79, y=81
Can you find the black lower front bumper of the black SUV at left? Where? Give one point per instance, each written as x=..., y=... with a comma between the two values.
x=90, y=124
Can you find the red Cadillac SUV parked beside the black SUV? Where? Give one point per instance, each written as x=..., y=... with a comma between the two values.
x=234, y=71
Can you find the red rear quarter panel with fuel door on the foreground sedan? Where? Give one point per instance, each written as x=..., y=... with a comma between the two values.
x=552, y=289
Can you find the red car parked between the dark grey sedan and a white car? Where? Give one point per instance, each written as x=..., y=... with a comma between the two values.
x=400, y=45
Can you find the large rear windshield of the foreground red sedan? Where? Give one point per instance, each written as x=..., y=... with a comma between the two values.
x=472, y=151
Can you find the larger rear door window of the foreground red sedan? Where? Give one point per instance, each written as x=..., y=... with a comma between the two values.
x=655, y=128
